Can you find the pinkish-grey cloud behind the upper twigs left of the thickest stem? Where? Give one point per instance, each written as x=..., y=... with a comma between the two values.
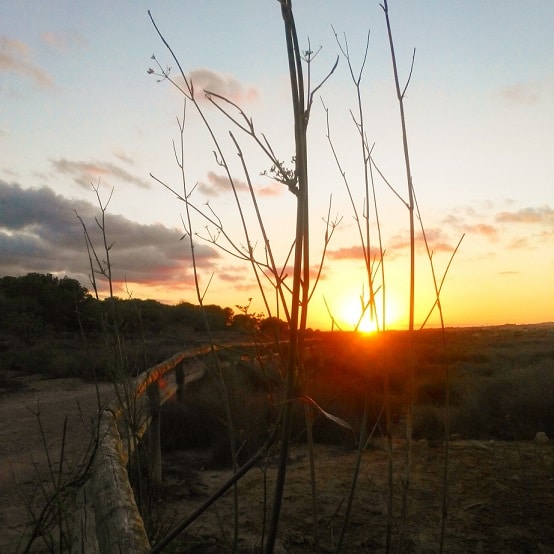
x=226, y=85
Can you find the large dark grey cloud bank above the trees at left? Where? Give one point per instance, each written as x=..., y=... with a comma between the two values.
x=39, y=231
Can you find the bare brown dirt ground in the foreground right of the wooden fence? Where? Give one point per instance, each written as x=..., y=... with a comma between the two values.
x=500, y=500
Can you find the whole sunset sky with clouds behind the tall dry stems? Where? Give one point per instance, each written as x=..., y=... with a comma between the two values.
x=80, y=112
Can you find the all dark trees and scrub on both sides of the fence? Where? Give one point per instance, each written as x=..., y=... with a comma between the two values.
x=502, y=378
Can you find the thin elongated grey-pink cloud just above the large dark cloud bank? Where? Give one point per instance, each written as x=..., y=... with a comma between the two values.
x=84, y=173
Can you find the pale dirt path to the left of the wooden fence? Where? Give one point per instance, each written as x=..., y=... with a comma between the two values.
x=22, y=454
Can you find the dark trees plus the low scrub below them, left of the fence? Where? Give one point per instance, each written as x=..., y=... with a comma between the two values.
x=54, y=326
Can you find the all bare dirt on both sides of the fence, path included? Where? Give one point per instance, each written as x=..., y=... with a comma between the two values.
x=501, y=494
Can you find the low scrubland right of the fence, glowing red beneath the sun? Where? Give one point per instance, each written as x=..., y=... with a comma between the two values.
x=502, y=388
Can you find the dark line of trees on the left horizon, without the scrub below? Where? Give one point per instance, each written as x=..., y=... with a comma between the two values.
x=36, y=304
